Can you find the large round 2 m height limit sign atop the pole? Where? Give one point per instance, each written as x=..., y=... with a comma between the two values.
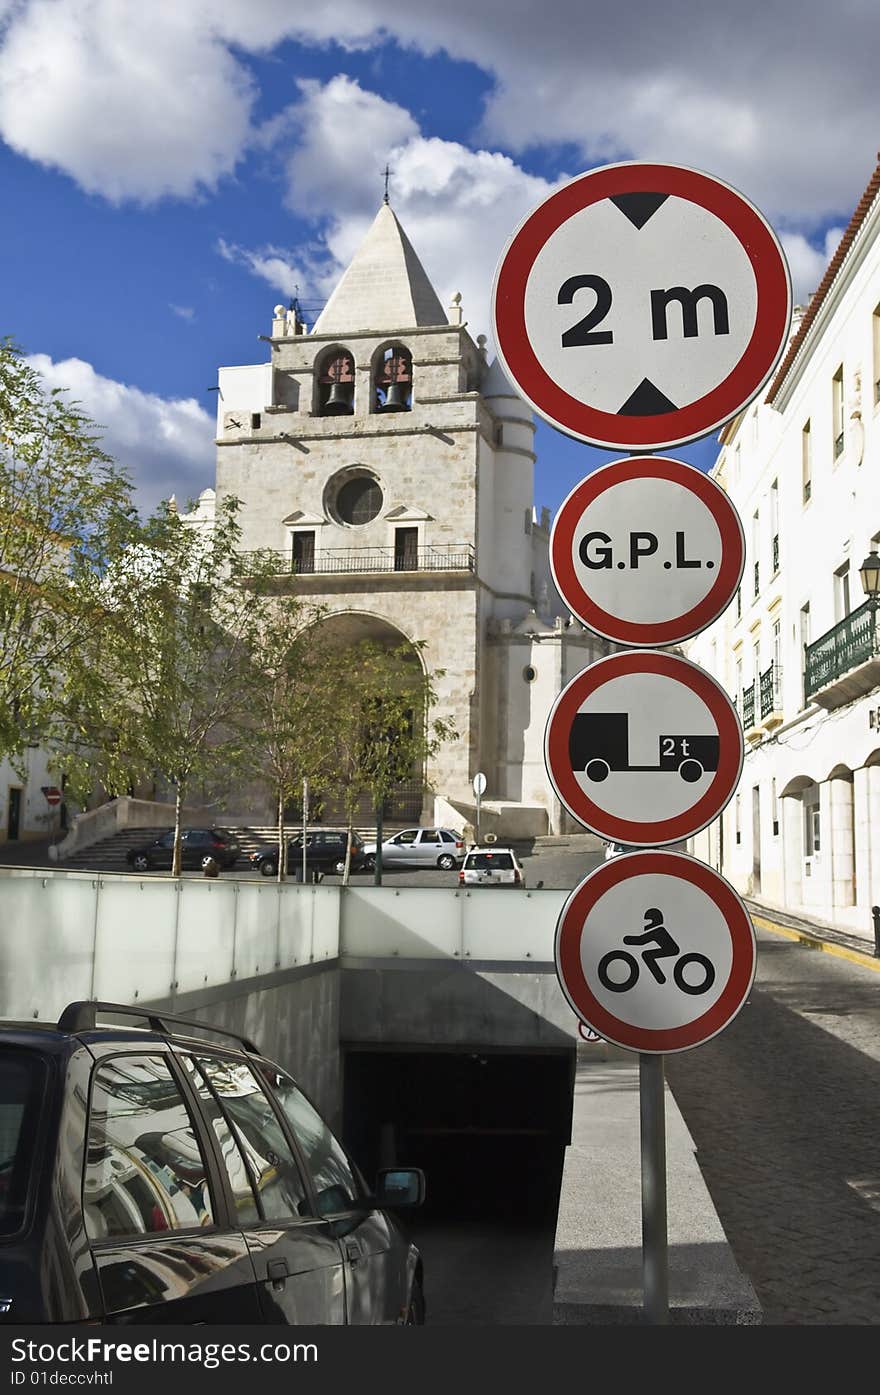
x=642, y=306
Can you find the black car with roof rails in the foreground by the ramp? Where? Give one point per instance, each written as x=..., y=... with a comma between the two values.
x=149, y=1175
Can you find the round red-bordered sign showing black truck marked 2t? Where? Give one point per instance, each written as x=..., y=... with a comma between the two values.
x=644, y=748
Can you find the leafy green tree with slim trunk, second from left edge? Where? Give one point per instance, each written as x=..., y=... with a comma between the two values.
x=169, y=665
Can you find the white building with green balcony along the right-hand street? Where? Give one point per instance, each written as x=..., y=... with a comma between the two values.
x=798, y=649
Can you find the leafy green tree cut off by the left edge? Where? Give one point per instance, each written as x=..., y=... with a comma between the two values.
x=66, y=513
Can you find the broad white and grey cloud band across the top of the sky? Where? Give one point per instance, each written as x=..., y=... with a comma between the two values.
x=150, y=101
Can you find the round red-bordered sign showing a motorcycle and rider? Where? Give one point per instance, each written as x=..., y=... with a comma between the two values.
x=655, y=952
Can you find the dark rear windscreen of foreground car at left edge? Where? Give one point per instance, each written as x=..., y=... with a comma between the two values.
x=23, y=1082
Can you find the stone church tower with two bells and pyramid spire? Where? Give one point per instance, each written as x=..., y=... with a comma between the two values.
x=391, y=471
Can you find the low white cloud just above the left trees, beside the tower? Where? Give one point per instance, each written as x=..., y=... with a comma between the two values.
x=167, y=446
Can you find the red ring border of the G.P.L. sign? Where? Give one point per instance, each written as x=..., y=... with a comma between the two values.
x=660, y=633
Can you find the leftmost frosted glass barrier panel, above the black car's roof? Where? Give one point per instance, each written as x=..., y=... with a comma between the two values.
x=47, y=935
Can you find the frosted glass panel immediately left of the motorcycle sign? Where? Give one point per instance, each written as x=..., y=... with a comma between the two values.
x=511, y=924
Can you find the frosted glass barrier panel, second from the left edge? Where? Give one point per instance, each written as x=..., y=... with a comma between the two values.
x=137, y=924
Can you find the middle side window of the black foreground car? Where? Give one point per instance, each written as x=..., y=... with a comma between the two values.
x=275, y=1171
